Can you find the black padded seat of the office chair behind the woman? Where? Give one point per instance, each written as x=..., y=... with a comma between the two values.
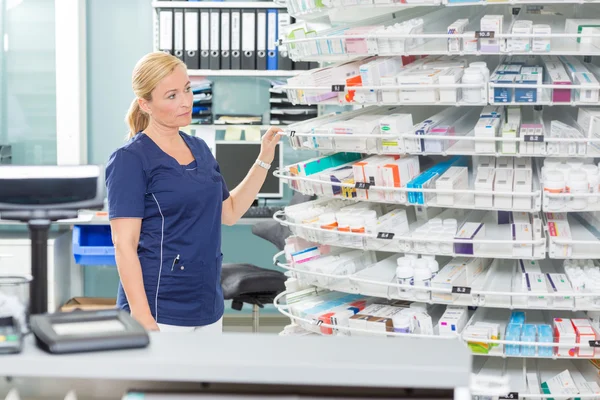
x=247, y=283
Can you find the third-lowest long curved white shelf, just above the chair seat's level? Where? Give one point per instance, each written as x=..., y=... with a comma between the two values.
x=495, y=244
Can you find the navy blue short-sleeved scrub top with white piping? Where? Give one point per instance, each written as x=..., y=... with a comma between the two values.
x=180, y=238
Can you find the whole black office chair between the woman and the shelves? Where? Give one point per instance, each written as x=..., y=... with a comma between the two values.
x=250, y=284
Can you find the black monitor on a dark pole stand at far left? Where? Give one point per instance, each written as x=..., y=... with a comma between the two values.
x=39, y=195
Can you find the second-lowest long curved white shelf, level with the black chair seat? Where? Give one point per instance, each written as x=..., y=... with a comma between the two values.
x=500, y=287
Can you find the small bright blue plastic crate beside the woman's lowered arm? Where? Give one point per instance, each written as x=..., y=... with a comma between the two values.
x=92, y=245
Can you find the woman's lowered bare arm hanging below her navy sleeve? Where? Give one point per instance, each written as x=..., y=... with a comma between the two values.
x=125, y=236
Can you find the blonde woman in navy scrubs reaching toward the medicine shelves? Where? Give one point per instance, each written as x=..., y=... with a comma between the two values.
x=167, y=201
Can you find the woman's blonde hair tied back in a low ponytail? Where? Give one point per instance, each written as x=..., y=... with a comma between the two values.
x=148, y=72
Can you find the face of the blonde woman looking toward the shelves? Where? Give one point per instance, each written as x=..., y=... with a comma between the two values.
x=172, y=100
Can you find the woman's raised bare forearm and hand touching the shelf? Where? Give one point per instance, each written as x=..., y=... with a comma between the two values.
x=242, y=197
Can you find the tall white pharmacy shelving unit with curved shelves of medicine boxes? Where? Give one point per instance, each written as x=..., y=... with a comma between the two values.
x=493, y=295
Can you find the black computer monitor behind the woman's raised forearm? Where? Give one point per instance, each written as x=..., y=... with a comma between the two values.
x=235, y=159
